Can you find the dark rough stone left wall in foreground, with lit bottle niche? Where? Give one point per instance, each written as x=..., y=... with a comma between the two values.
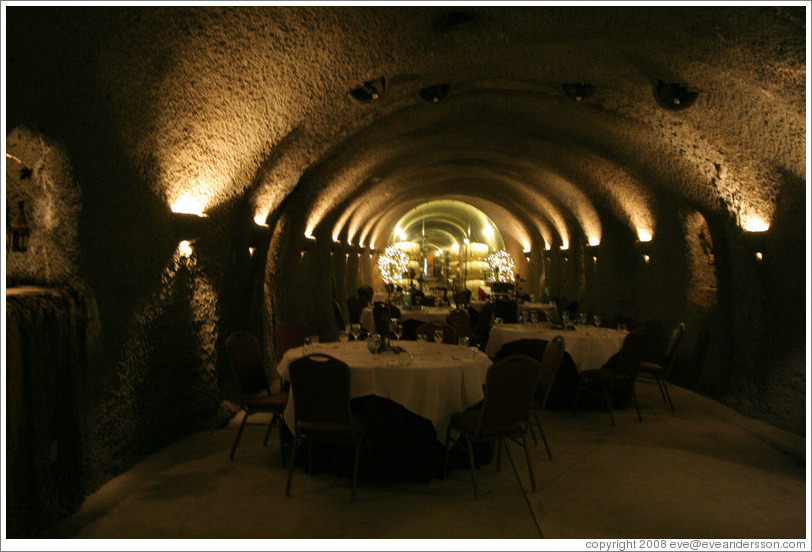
x=148, y=368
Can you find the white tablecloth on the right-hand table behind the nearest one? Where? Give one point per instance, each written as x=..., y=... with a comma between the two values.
x=589, y=347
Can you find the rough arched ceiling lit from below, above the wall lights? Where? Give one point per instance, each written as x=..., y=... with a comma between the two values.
x=227, y=101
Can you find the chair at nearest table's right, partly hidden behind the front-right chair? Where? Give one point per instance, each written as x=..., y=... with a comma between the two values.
x=549, y=354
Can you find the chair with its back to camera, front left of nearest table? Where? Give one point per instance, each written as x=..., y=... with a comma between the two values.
x=321, y=389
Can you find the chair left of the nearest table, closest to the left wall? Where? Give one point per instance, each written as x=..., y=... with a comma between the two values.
x=255, y=392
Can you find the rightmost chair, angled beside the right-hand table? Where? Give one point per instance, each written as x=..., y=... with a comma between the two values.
x=617, y=376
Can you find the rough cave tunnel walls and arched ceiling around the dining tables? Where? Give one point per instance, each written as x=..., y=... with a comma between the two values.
x=186, y=172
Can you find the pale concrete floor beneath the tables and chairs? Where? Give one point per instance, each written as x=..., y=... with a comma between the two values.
x=703, y=471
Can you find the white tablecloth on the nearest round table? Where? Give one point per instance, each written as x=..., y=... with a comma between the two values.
x=440, y=381
